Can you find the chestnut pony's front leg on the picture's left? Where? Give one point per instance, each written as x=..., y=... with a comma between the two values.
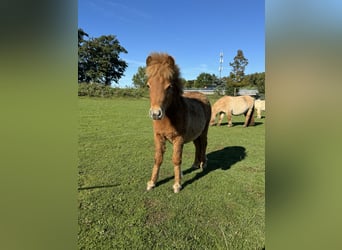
x=160, y=147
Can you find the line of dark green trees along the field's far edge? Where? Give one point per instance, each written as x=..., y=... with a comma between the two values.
x=99, y=62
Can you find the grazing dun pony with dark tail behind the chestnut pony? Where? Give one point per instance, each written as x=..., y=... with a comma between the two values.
x=233, y=105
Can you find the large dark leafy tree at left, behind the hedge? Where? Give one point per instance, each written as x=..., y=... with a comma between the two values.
x=99, y=60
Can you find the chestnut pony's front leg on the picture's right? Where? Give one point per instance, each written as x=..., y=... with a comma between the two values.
x=177, y=161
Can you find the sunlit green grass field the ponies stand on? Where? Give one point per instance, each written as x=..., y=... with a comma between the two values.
x=220, y=208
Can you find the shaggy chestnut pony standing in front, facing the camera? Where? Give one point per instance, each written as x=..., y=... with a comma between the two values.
x=177, y=117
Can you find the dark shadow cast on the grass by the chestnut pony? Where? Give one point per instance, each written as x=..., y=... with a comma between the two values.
x=219, y=159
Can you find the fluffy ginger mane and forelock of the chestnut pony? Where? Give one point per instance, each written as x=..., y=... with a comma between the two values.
x=163, y=65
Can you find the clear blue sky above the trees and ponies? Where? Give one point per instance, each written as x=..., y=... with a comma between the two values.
x=194, y=32
